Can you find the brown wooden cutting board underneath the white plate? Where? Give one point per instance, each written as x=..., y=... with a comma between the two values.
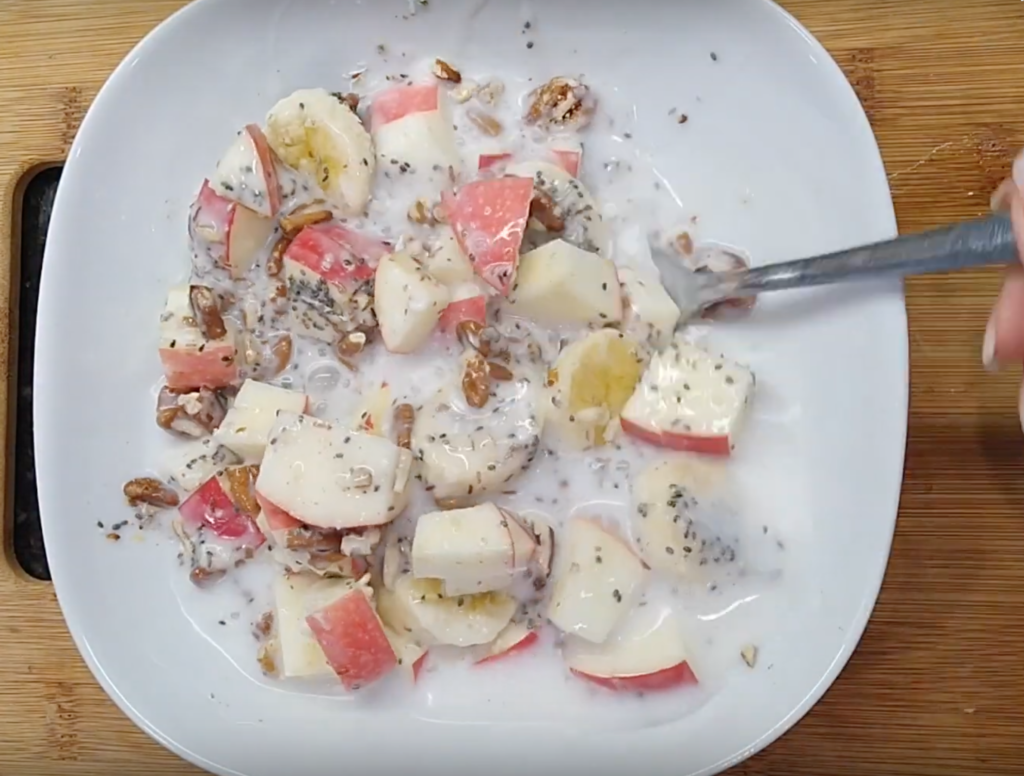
x=936, y=685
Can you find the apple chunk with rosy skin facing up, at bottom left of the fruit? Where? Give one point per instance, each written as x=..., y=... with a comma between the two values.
x=353, y=639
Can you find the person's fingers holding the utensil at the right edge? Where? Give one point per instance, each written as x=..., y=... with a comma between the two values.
x=1005, y=333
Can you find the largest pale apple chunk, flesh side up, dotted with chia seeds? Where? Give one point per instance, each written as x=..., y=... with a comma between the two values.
x=333, y=479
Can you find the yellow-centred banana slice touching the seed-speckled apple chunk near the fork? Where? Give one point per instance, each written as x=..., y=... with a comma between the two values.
x=588, y=387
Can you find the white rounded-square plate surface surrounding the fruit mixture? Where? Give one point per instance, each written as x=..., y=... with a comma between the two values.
x=777, y=157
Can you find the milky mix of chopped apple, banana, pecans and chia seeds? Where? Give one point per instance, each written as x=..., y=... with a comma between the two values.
x=409, y=320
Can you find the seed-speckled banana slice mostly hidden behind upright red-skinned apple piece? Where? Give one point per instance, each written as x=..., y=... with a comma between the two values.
x=584, y=226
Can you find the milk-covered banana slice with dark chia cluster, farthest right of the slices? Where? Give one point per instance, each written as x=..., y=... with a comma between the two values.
x=673, y=519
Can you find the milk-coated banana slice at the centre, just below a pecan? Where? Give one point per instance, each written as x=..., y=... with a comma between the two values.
x=466, y=452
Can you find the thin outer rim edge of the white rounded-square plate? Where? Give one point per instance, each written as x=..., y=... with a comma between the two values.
x=859, y=626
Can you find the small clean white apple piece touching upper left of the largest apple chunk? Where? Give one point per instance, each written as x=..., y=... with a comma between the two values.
x=247, y=427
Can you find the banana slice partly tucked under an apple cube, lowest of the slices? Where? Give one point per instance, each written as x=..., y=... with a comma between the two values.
x=419, y=609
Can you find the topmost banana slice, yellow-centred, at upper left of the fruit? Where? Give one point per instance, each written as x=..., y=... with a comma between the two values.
x=317, y=134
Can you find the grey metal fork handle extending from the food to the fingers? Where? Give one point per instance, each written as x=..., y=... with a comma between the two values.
x=972, y=244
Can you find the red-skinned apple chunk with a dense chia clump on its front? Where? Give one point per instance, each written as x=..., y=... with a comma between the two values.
x=327, y=269
